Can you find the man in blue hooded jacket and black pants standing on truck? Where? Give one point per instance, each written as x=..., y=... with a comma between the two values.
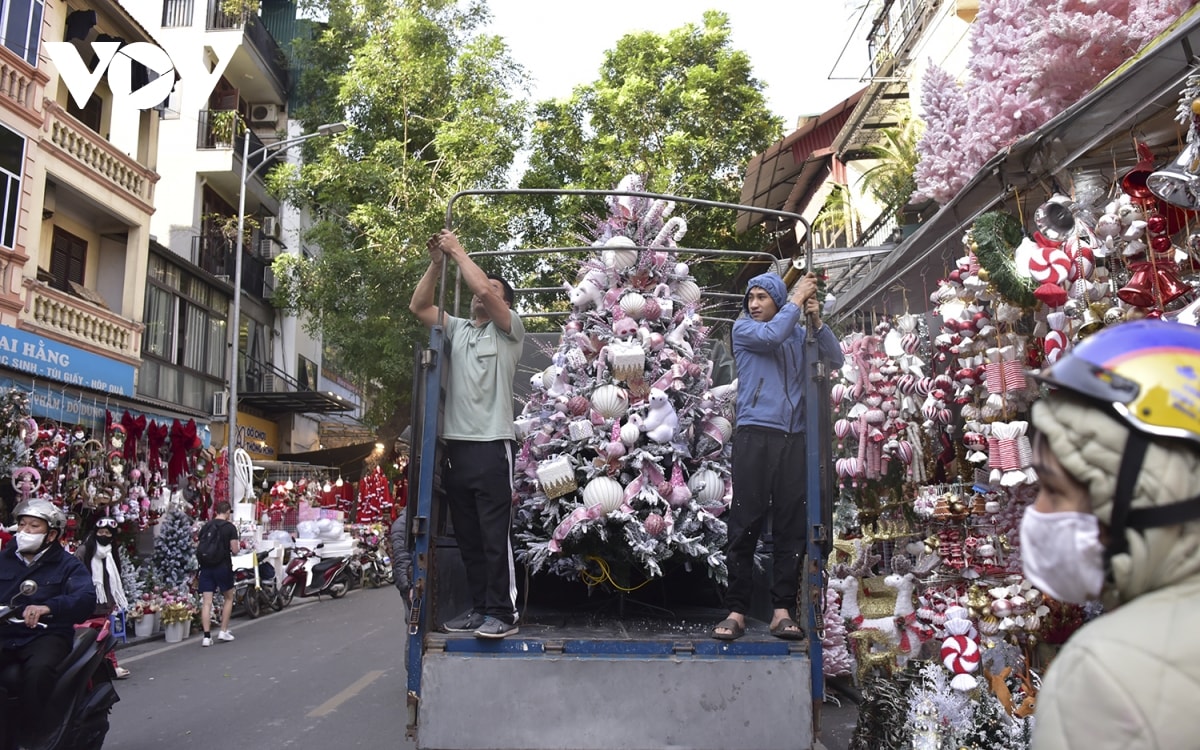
x=769, y=446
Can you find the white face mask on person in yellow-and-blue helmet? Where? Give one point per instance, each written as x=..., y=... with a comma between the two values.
x=1063, y=555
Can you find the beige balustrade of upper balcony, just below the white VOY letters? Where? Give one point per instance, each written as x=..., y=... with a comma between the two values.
x=98, y=158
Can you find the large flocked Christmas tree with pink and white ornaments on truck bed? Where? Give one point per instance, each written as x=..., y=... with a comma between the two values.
x=625, y=443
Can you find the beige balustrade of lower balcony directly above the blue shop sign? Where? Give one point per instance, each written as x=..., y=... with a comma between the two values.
x=79, y=321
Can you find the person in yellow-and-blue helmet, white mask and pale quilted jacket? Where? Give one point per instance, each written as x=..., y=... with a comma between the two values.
x=1118, y=519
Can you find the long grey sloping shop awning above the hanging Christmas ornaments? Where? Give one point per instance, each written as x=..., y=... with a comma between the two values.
x=1096, y=135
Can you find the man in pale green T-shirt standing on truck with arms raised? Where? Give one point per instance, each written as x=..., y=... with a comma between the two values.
x=478, y=433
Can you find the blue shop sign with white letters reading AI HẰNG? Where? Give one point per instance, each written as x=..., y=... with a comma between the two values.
x=46, y=358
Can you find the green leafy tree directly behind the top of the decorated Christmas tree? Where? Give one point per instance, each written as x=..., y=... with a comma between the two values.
x=682, y=110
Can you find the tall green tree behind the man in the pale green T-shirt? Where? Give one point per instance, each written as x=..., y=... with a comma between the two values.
x=434, y=107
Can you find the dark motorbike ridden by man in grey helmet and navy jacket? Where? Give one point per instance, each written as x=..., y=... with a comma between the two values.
x=77, y=715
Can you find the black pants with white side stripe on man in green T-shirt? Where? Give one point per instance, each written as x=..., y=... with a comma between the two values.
x=478, y=484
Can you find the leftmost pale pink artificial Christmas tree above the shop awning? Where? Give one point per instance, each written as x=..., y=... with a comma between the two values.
x=940, y=175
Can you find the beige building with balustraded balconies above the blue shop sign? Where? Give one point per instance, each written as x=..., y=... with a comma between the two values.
x=80, y=184
